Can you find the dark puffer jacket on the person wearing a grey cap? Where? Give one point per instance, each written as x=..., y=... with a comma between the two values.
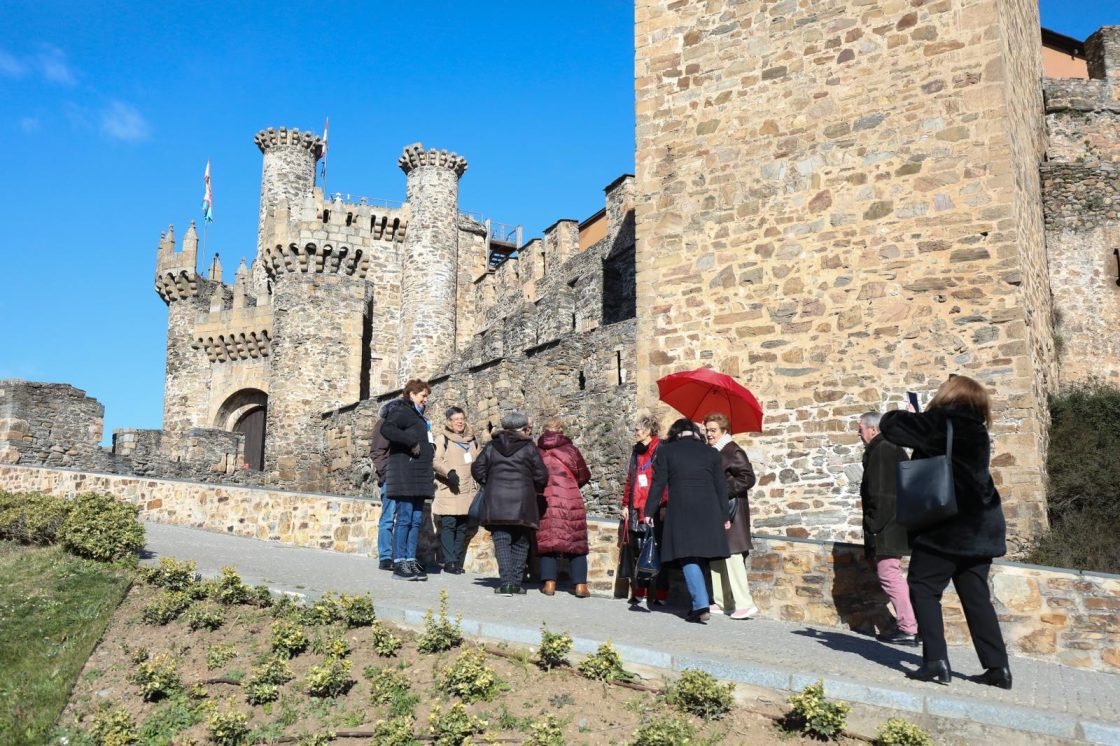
x=512, y=473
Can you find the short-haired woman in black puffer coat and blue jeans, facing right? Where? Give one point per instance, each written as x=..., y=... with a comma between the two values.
x=409, y=477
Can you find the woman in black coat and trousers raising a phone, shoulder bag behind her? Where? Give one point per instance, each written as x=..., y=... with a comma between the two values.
x=960, y=548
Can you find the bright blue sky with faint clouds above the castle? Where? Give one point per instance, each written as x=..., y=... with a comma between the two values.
x=111, y=110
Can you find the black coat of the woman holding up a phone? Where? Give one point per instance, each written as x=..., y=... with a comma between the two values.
x=979, y=529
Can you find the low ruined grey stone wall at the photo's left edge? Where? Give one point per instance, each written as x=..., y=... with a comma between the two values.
x=51, y=424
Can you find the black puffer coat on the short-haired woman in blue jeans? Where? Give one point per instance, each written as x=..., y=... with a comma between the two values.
x=409, y=473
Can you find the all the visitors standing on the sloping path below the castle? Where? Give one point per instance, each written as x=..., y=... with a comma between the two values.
x=690, y=492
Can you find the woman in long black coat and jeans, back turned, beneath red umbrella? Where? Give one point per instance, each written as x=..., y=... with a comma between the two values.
x=697, y=516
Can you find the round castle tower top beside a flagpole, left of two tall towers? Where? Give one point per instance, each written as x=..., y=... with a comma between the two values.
x=288, y=172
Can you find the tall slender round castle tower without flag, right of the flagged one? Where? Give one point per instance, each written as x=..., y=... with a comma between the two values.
x=428, y=272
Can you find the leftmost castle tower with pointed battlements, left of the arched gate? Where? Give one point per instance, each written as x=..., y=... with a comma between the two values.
x=186, y=295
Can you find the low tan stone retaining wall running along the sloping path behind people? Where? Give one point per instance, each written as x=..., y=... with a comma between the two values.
x=1059, y=616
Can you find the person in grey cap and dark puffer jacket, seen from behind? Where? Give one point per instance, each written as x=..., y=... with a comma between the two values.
x=512, y=474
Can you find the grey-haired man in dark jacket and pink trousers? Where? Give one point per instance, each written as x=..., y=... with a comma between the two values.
x=884, y=540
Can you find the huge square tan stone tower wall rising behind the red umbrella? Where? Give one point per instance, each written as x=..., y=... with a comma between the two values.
x=837, y=212
